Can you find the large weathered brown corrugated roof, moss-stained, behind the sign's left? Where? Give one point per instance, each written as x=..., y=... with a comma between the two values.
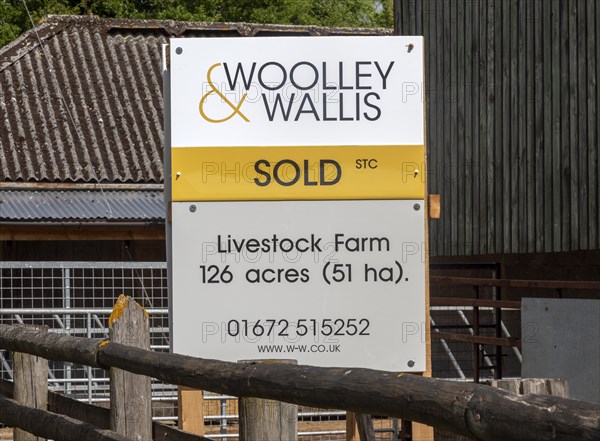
x=87, y=106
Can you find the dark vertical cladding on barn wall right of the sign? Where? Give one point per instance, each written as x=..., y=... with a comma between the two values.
x=512, y=122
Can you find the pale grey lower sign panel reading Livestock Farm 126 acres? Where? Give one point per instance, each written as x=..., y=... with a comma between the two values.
x=325, y=283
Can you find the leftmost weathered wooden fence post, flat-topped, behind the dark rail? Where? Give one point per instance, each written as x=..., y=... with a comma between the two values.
x=31, y=383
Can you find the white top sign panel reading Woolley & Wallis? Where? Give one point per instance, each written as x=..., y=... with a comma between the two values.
x=286, y=91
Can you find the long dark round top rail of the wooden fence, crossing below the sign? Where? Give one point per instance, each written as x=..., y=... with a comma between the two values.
x=473, y=410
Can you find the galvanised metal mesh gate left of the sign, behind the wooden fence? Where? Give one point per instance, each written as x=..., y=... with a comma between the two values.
x=76, y=298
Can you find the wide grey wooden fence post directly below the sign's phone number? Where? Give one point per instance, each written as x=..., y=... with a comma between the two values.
x=267, y=420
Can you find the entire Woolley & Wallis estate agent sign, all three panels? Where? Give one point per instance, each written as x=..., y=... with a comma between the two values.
x=297, y=200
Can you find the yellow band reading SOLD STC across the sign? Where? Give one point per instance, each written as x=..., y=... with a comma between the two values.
x=298, y=173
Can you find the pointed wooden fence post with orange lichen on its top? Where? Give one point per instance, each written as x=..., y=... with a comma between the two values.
x=130, y=394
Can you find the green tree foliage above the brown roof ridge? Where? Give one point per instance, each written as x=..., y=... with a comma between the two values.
x=348, y=13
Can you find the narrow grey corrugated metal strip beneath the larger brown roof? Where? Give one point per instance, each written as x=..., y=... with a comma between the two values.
x=77, y=205
